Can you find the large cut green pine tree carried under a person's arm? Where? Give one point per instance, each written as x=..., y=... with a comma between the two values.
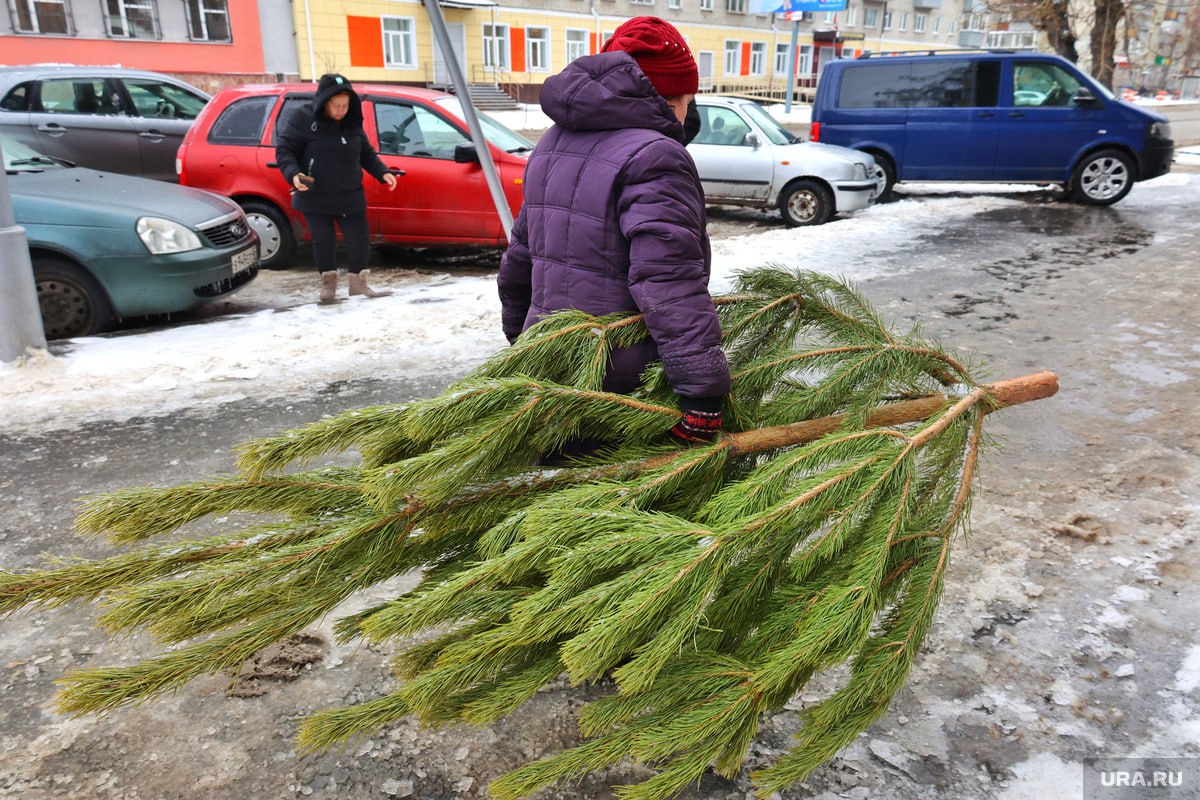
x=710, y=584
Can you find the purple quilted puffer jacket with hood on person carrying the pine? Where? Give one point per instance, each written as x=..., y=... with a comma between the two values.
x=614, y=220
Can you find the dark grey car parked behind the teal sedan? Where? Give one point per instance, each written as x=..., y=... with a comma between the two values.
x=105, y=118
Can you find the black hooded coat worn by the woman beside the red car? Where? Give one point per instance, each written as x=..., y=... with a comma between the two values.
x=334, y=154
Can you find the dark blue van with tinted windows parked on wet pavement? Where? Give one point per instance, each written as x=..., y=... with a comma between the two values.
x=994, y=116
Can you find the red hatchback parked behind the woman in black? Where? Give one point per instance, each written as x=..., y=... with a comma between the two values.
x=441, y=200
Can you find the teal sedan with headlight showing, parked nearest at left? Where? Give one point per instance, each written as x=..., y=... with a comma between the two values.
x=106, y=248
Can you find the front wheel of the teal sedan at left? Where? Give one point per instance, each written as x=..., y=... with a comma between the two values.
x=71, y=302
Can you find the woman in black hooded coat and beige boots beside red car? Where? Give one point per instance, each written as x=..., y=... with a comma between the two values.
x=322, y=153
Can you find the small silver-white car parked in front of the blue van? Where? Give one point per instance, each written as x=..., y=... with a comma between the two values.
x=747, y=158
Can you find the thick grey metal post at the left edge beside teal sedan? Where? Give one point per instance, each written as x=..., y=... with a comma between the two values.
x=21, y=320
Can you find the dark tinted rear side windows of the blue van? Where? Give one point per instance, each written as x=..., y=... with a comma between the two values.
x=922, y=85
